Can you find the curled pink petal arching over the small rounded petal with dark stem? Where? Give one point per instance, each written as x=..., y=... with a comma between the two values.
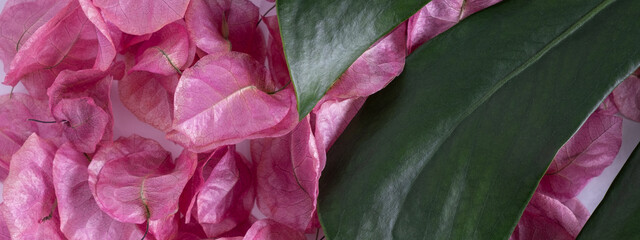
x=85, y=83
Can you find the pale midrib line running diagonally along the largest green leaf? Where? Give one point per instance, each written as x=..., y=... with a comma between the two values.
x=474, y=106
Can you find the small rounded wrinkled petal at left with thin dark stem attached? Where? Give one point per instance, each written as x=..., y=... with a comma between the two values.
x=83, y=122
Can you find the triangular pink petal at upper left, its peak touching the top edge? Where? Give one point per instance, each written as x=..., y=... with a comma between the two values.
x=68, y=41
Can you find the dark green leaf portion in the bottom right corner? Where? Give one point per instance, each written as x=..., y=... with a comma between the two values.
x=618, y=214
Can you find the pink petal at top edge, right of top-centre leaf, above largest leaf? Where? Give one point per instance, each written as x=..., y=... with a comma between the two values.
x=438, y=16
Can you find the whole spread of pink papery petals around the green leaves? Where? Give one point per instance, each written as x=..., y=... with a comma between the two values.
x=204, y=73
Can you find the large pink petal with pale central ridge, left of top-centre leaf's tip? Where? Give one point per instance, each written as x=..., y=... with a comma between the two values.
x=227, y=93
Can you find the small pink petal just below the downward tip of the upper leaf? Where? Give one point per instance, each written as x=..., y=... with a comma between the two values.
x=331, y=118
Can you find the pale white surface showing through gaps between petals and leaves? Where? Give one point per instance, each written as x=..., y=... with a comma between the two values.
x=127, y=124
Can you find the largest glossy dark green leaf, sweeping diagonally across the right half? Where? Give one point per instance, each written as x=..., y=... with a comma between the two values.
x=455, y=147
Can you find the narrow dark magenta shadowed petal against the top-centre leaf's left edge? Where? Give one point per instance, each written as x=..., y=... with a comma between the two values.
x=277, y=63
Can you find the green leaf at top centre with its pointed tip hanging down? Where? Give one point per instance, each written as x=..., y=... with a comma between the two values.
x=322, y=38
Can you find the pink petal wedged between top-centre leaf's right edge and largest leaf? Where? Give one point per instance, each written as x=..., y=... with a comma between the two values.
x=374, y=69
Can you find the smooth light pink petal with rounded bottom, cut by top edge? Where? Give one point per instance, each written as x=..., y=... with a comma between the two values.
x=142, y=16
